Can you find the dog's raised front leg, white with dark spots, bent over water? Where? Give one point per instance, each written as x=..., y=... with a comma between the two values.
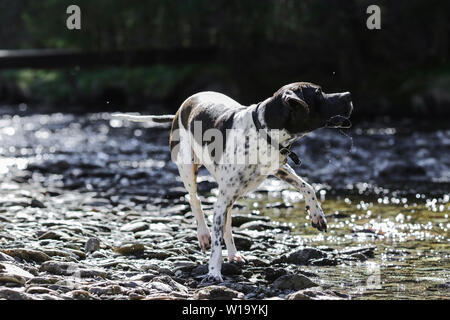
x=286, y=173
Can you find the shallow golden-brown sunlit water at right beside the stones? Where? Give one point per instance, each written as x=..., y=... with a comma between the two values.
x=411, y=236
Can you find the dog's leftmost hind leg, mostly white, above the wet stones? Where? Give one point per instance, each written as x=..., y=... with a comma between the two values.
x=188, y=173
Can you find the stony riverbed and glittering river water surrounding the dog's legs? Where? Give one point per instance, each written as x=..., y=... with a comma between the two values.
x=92, y=208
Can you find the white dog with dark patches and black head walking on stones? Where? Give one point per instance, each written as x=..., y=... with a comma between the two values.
x=293, y=111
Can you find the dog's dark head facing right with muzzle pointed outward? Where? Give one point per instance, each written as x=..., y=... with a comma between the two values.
x=302, y=107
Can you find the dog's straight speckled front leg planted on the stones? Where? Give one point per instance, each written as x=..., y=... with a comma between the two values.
x=221, y=208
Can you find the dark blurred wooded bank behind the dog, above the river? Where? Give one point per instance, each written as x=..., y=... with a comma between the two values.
x=246, y=49
